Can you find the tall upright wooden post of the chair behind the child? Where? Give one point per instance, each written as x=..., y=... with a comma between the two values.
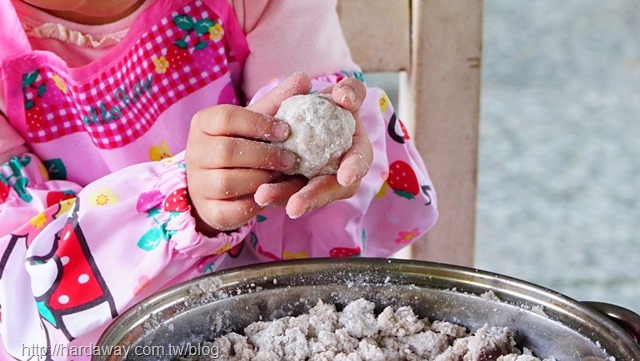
x=443, y=90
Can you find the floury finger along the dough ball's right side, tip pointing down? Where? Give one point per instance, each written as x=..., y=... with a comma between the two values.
x=357, y=160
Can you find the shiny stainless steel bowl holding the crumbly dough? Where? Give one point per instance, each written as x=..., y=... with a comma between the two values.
x=545, y=321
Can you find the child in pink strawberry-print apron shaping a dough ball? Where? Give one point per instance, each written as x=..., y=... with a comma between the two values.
x=107, y=106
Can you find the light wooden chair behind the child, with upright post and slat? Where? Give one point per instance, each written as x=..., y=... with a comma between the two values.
x=437, y=46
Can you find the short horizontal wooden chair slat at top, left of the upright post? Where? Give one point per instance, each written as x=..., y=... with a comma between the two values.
x=377, y=32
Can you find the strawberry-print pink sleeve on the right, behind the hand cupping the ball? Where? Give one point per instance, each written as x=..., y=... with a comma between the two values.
x=395, y=204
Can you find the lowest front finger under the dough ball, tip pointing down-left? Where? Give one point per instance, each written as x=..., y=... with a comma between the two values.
x=319, y=192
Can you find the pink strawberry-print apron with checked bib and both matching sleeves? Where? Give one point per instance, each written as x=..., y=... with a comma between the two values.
x=97, y=217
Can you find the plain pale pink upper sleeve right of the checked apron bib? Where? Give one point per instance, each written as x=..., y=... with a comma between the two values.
x=290, y=36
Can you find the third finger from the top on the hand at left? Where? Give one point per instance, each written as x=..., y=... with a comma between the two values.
x=232, y=183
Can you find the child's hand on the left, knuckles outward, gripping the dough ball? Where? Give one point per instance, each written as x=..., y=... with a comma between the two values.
x=228, y=157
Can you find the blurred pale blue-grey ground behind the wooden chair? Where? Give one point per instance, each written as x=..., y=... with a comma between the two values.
x=559, y=157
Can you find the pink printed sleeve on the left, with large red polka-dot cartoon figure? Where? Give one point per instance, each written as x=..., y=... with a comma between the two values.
x=92, y=252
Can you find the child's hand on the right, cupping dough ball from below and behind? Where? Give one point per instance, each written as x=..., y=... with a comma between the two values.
x=301, y=195
